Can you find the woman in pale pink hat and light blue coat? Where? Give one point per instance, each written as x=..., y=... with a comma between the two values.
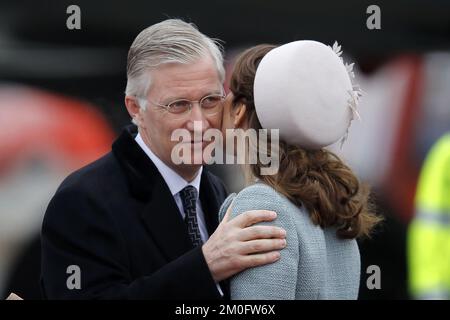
x=304, y=90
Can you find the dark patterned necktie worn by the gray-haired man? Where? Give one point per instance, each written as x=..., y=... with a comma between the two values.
x=189, y=199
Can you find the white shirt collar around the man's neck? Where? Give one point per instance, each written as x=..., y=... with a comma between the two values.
x=173, y=180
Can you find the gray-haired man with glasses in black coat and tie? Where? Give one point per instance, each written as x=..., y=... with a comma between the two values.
x=133, y=225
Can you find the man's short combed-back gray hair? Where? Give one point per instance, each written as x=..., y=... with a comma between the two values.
x=170, y=41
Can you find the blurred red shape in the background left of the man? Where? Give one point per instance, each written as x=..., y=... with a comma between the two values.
x=39, y=124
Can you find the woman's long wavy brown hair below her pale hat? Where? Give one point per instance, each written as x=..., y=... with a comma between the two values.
x=316, y=179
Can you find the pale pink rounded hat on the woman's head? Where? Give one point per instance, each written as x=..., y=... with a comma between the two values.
x=305, y=90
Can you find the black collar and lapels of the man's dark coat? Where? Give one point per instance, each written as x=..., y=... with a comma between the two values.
x=160, y=212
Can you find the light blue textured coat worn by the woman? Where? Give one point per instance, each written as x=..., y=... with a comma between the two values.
x=315, y=263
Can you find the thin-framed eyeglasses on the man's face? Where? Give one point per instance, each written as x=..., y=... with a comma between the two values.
x=210, y=104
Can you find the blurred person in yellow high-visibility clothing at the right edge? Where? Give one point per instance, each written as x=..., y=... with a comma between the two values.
x=429, y=232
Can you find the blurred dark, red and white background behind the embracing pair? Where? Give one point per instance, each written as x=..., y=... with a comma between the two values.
x=61, y=104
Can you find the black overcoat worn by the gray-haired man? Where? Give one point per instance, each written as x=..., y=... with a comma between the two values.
x=118, y=222
